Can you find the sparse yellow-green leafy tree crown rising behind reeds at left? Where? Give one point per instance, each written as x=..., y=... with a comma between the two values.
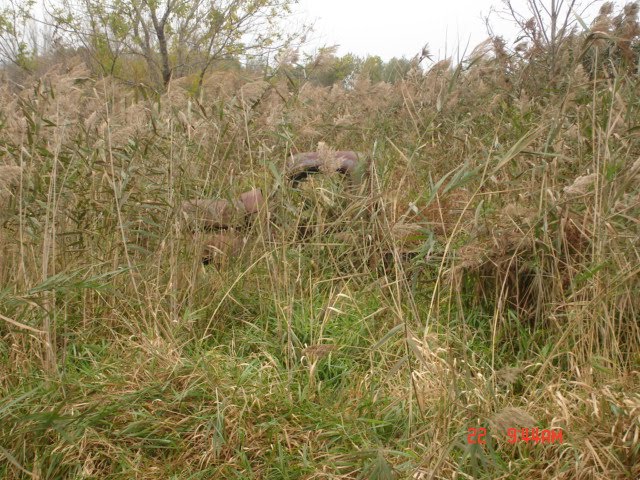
x=174, y=37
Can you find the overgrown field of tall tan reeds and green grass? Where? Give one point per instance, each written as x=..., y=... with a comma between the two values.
x=484, y=271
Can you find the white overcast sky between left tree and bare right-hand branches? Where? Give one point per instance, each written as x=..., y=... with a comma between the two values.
x=396, y=28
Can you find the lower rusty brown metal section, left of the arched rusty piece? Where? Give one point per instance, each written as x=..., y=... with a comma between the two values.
x=217, y=214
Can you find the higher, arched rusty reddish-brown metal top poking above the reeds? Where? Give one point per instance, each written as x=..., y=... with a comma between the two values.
x=303, y=164
